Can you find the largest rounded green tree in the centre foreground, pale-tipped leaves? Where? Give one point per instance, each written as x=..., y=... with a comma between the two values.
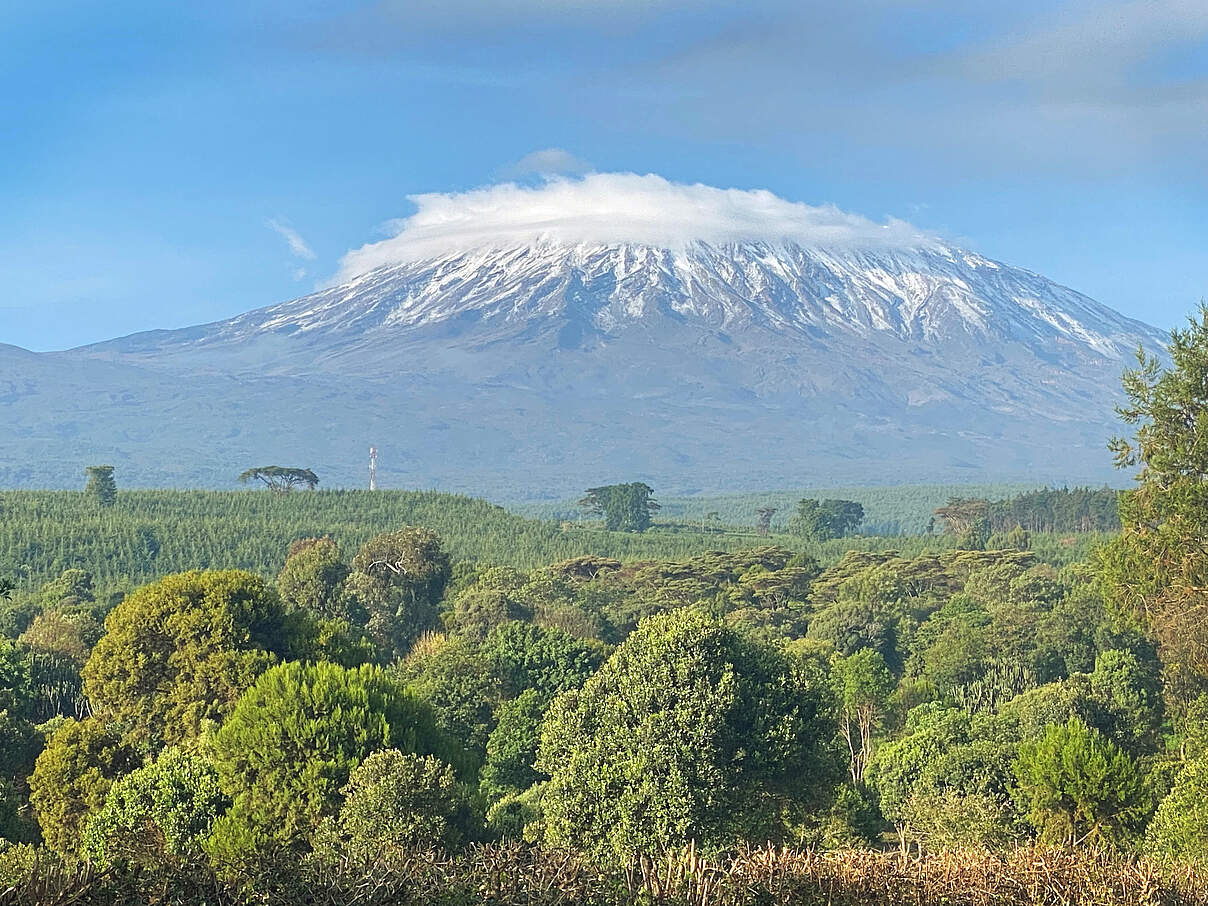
x=688, y=733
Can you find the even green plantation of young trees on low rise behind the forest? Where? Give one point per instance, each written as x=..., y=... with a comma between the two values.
x=152, y=533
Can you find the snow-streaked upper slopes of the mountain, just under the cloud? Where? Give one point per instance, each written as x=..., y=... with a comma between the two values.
x=931, y=295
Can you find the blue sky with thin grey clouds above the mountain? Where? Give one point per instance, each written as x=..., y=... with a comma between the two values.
x=165, y=165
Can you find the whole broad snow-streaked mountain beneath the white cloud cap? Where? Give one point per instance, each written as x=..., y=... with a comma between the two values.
x=544, y=368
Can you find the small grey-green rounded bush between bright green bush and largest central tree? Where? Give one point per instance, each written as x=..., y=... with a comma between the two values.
x=399, y=802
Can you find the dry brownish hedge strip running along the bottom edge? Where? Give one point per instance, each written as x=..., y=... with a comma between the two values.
x=522, y=876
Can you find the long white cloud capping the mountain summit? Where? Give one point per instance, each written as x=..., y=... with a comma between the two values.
x=611, y=208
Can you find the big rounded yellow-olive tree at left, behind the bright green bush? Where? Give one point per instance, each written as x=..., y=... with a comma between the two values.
x=179, y=652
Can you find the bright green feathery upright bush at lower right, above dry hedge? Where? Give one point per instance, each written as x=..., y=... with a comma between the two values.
x=1079, y=787
